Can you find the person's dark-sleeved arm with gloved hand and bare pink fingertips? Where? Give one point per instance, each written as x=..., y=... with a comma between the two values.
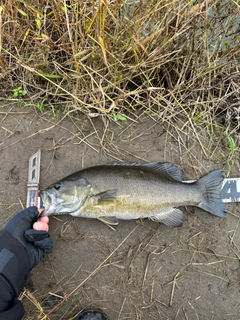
x=24, y=242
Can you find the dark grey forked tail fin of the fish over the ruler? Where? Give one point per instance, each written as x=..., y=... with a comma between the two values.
x=210, y=185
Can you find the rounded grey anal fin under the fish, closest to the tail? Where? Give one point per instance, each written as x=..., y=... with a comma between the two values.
x=171, y=217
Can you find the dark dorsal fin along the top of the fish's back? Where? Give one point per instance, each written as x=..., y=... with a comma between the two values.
x=167, y=170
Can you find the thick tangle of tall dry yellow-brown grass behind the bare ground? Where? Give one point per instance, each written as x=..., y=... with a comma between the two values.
x=172, y=59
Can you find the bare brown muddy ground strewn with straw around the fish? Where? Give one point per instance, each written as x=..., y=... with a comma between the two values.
x=143, y=270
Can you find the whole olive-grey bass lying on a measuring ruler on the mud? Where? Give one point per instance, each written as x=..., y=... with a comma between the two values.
x=127, y=190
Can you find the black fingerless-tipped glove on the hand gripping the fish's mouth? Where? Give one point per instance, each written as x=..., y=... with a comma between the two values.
x=22, y=248
